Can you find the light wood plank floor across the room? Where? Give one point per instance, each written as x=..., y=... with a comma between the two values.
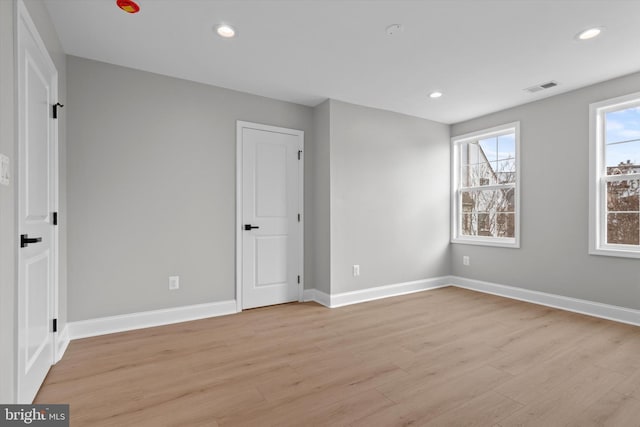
x=448, y=357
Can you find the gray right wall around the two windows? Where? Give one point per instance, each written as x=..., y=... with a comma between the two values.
x=555, y=174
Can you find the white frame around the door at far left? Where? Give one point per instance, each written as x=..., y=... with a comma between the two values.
x=22, y=17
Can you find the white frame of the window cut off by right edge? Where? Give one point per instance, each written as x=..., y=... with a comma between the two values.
x=598, y=178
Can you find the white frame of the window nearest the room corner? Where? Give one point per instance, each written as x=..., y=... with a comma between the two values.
x=456, y=142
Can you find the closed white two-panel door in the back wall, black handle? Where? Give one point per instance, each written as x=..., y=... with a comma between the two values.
x=270, y=226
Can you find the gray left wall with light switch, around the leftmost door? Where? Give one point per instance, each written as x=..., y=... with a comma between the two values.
x=8, y=146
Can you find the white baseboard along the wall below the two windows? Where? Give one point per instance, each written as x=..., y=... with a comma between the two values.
x=596, y=309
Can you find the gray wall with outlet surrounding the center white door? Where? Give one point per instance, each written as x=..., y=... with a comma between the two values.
x=151, y=172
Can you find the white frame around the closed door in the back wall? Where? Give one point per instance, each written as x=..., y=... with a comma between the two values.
x=239, y=170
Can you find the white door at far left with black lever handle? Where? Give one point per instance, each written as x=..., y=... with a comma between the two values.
x=37, y=194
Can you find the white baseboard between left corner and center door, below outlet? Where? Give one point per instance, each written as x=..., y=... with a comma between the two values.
x=147, y=319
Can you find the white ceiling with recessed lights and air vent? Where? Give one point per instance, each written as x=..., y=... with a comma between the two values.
x=480, y=53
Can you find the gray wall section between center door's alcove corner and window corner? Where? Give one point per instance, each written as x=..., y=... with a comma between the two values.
x=389, y=197
